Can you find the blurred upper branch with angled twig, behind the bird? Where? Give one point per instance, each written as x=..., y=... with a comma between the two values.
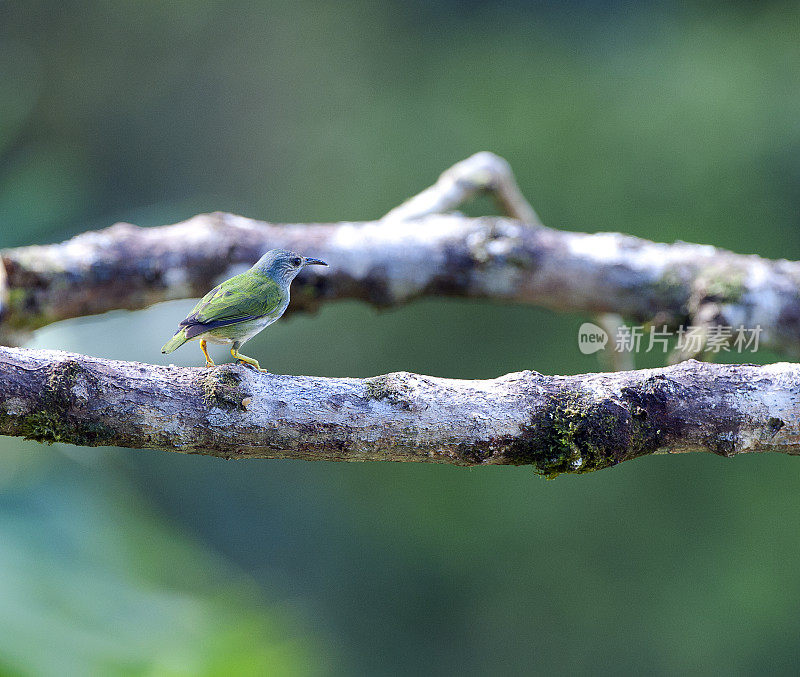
x=413, y=252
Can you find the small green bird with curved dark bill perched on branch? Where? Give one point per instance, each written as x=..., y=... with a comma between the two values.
x=236, y=310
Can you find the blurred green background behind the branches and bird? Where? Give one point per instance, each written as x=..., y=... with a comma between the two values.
x=667, y=121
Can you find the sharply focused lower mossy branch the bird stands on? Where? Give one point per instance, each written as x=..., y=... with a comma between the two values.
x=556, y=424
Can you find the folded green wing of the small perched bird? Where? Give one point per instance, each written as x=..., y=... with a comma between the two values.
x=243, y=297
